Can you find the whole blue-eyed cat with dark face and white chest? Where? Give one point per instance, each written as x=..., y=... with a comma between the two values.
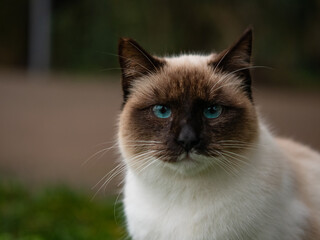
x=200, y=162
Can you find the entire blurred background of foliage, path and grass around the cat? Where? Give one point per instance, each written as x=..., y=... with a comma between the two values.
x=60, y=95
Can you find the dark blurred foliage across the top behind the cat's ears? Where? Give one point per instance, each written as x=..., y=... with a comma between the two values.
x=85, y=33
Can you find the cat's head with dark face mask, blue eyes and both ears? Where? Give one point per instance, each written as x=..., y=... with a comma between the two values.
x=188, y=112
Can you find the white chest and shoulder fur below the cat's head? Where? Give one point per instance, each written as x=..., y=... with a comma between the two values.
x=257, y=203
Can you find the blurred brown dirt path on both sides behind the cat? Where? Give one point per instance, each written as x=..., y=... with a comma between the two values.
x=49, y=128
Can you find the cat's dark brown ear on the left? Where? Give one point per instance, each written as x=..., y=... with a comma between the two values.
x=135, y=62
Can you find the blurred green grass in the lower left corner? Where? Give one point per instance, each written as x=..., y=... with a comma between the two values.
x=57, y=214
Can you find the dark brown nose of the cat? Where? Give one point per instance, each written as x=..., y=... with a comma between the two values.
x=187, y=137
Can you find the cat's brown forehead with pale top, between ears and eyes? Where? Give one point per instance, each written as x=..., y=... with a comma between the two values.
x=185, y=77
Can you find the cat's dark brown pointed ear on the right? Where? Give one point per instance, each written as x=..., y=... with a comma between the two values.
x=237, y=60
